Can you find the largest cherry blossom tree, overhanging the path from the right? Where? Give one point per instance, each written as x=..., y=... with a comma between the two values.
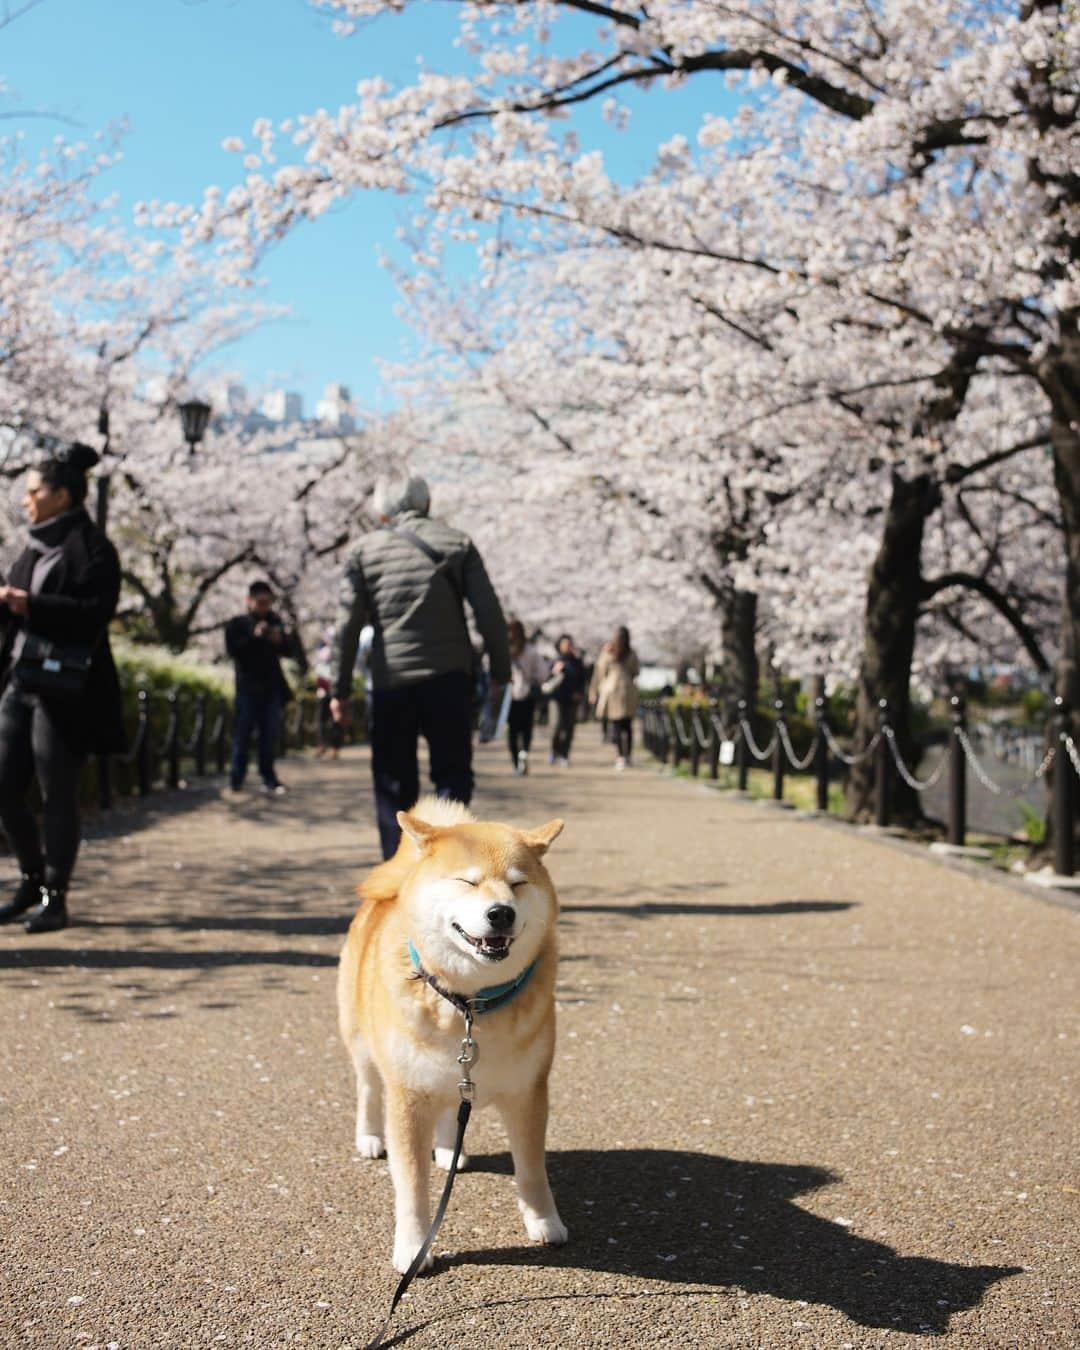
x=898, y=186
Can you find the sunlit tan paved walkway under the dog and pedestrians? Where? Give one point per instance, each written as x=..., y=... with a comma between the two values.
x=811, y=1091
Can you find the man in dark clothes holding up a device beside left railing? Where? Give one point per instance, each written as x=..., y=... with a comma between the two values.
x=256, y=642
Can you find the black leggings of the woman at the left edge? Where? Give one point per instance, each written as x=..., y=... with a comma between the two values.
x=30, y=745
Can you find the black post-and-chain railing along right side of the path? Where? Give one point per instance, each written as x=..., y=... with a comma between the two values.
x=676, y=735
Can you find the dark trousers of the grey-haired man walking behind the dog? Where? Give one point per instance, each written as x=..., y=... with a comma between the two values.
x=441, y=711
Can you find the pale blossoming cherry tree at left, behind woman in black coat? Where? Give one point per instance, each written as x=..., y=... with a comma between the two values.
x=97, y=319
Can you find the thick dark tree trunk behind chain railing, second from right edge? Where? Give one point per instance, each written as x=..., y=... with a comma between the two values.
x=893, y=607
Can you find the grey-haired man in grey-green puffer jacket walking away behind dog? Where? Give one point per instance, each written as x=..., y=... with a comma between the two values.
x=411, y=580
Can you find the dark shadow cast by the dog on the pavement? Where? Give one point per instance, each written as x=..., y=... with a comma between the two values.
x=711, y=1221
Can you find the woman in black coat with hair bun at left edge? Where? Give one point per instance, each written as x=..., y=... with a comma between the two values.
x=57, y=605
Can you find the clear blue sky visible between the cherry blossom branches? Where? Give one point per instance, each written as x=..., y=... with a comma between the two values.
x=188, y=74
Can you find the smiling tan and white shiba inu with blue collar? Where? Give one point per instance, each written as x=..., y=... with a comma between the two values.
x=465, y=911
